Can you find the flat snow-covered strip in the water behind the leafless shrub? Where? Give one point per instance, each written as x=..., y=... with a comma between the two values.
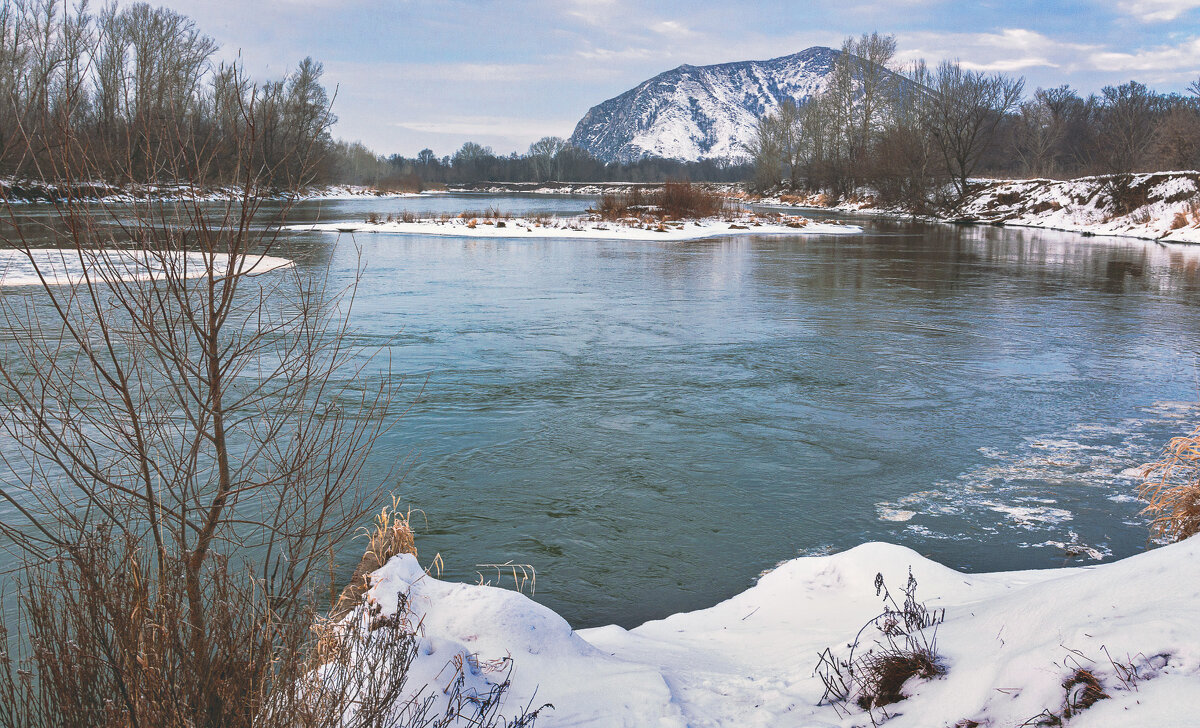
x=69, y=267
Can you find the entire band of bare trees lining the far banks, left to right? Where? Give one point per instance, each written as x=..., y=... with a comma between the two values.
x=129, y=87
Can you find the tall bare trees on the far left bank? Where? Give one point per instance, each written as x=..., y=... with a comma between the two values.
x=131, y=86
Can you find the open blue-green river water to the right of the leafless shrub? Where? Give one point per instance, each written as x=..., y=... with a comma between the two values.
x=652, y=425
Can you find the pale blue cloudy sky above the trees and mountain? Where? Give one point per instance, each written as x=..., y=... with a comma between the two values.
x=435, y=74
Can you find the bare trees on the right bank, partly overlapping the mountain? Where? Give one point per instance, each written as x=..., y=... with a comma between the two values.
x=917, y=135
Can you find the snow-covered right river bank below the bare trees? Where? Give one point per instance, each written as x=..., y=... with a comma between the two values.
x=1155, y=207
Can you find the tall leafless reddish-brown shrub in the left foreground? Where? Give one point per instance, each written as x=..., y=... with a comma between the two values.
x=188, y=450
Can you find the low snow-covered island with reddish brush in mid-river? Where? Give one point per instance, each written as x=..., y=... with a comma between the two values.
x=587, y=228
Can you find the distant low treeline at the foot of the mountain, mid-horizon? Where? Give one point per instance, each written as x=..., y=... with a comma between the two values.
x=549, y=159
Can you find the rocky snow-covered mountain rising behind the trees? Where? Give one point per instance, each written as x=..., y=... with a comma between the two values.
x=700, y=112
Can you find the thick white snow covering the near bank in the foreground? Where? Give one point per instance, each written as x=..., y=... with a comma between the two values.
x=1009, y=645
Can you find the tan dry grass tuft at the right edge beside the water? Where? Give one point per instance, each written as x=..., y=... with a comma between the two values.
x=1172, y=488
